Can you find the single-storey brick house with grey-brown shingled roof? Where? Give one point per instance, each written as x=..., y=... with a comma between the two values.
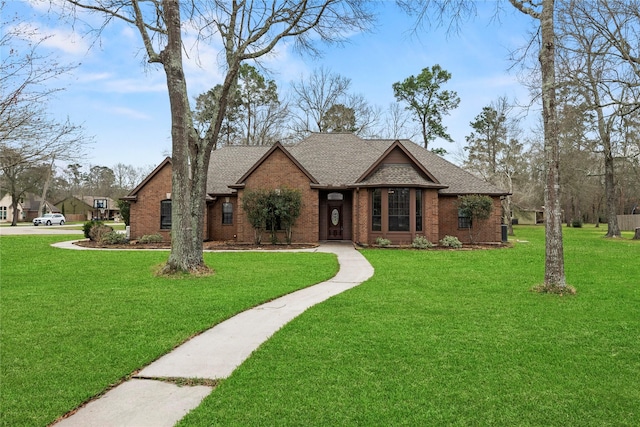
x=352, y=188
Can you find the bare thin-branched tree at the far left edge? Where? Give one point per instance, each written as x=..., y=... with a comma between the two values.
x=30, y=140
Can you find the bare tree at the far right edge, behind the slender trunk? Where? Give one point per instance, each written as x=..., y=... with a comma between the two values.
x=597, y=60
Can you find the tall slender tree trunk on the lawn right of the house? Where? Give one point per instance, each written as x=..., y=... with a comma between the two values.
x=554, y=251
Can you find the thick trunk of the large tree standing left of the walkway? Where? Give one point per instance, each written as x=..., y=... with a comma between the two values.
x=188, y=177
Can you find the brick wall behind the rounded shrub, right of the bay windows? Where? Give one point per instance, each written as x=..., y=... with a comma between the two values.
x=484, y=231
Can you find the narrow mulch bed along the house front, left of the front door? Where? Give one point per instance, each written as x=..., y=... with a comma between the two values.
x=208, y=246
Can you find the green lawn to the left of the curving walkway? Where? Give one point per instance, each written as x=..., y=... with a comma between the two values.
x=75, y=322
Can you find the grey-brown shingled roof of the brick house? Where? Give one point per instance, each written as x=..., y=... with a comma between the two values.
x=341, y=159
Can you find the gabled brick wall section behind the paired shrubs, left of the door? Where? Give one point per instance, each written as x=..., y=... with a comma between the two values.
x=279, y=171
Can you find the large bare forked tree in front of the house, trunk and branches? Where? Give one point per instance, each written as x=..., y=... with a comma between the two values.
x=248, y=30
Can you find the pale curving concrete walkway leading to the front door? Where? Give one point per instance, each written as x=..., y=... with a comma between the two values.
x=145, y=400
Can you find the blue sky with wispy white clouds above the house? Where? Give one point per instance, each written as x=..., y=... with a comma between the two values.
x=123, y=103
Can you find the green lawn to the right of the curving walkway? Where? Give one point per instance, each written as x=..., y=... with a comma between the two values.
x=455, y=338
